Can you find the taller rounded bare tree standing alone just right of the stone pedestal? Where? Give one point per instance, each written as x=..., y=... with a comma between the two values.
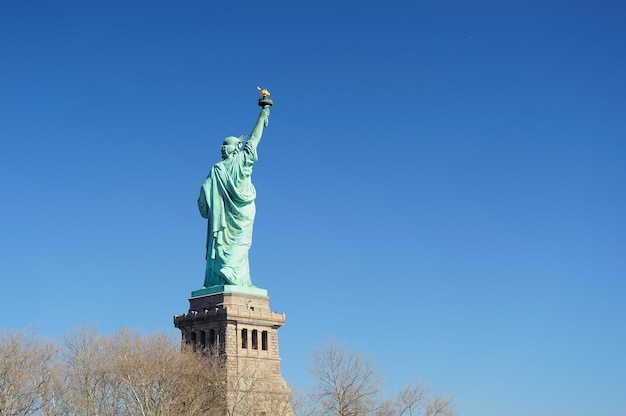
x=348, y=382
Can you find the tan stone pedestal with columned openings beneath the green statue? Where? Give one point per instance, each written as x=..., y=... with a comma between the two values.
x=241, y=327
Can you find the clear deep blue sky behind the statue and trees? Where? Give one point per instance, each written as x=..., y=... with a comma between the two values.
x=442, y=184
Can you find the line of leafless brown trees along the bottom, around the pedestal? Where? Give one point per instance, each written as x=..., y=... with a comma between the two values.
x=129, y=373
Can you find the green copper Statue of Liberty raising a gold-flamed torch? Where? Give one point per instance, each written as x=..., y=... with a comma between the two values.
x=227, y=201
